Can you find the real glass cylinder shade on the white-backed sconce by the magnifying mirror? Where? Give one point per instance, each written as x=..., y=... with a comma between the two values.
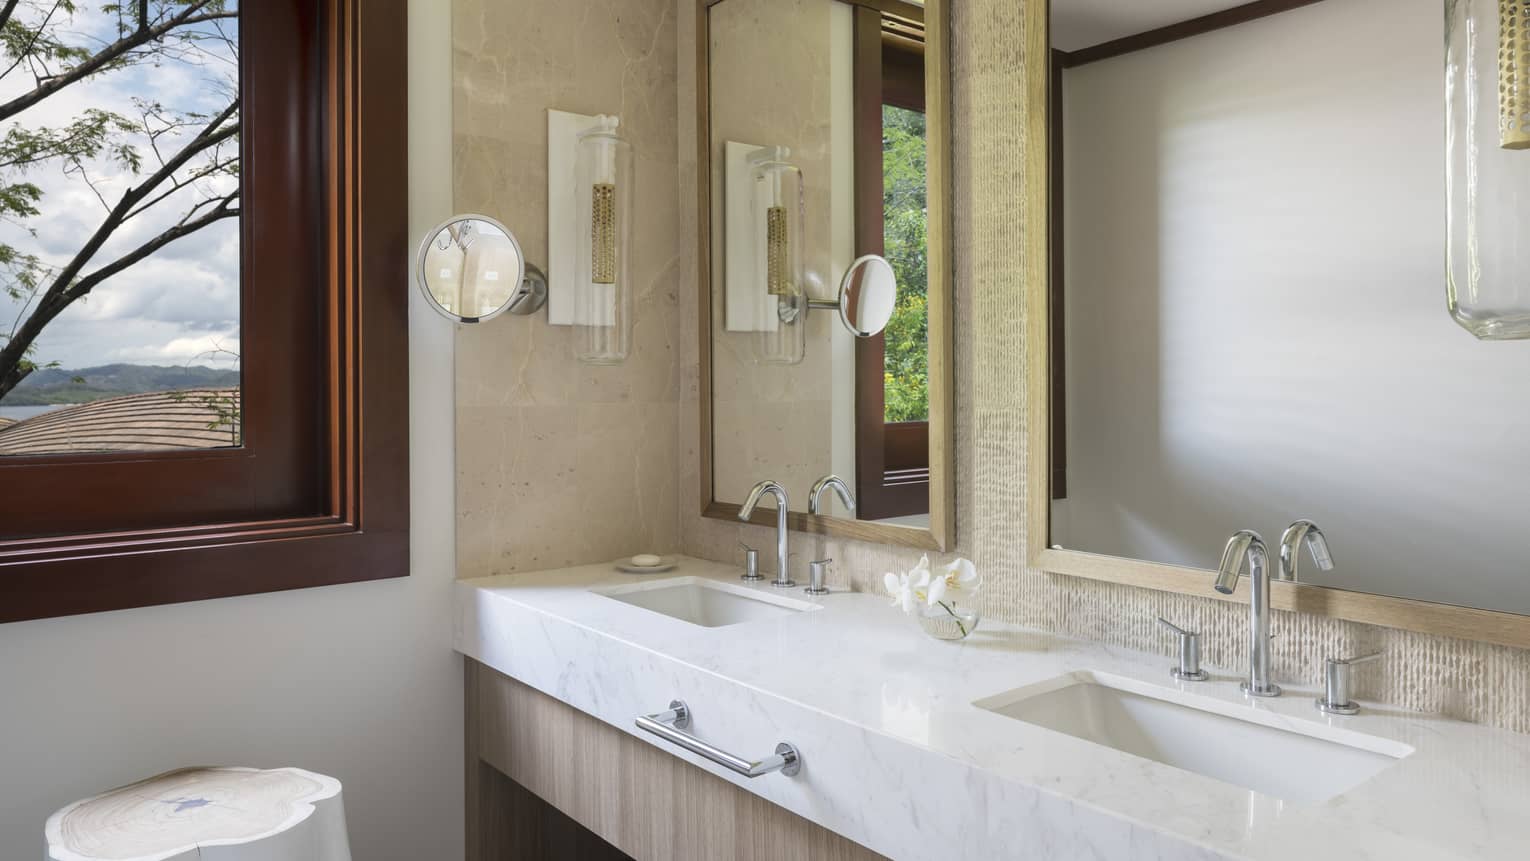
x=604, y=301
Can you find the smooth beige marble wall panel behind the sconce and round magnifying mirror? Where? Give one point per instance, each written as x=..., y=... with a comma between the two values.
x=549, y=447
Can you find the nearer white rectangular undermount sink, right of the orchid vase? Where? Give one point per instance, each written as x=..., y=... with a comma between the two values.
x=1295, y=761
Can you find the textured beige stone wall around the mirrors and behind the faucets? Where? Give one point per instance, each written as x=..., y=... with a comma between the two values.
x=1428, y=674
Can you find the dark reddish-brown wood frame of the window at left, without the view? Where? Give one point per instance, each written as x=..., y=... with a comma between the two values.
x=319, y=492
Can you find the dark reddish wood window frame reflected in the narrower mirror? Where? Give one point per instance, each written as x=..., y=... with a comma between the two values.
x=893, y=460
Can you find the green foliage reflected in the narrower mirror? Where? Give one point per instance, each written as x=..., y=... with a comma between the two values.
x=907, y=247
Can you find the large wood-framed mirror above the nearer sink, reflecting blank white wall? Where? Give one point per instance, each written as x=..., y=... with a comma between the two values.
x=1245, y=323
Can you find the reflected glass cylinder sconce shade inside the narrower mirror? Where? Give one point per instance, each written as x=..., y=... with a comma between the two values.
x=778, y=213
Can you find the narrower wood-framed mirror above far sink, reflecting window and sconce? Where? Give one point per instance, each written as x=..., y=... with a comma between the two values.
x=827, y=299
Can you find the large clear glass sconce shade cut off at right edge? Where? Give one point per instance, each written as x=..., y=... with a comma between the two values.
x=1488, y=166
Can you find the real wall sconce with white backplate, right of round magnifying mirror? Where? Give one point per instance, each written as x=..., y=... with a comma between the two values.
x=590, y=221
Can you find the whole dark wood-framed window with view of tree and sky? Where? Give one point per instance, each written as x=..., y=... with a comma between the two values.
x=204, y=247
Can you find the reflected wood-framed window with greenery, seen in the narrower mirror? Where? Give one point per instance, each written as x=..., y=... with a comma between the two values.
x=893, y=397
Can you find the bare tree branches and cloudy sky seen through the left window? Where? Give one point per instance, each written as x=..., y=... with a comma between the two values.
x=120, y=146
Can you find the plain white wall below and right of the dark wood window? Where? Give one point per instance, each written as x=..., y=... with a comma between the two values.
x=354, y=681
